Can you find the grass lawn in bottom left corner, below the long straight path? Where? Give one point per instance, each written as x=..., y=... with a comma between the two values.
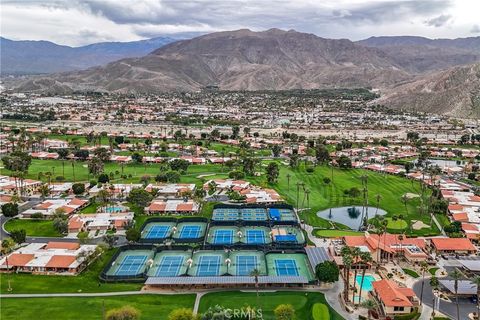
x=150, y=306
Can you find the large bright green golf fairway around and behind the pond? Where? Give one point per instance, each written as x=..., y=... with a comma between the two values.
x=322, y=196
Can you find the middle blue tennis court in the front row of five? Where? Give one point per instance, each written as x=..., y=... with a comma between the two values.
x=208, y=263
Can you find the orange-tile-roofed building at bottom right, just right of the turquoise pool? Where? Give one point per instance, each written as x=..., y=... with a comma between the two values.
x=393, y=299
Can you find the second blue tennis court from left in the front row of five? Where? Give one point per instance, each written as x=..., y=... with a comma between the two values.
x=170, y=263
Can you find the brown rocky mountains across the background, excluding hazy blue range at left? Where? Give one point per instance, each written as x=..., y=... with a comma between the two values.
x=277, y=59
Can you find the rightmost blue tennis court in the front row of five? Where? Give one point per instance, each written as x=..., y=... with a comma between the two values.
x=289, y=264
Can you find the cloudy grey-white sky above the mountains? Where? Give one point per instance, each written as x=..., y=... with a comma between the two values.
x=80, y=22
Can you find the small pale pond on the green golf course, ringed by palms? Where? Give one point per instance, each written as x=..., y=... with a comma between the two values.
x=350, y=216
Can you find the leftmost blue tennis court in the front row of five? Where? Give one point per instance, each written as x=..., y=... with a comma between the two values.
x=130, y=263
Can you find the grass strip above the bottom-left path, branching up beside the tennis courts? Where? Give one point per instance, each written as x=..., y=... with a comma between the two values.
x=87, y=281
